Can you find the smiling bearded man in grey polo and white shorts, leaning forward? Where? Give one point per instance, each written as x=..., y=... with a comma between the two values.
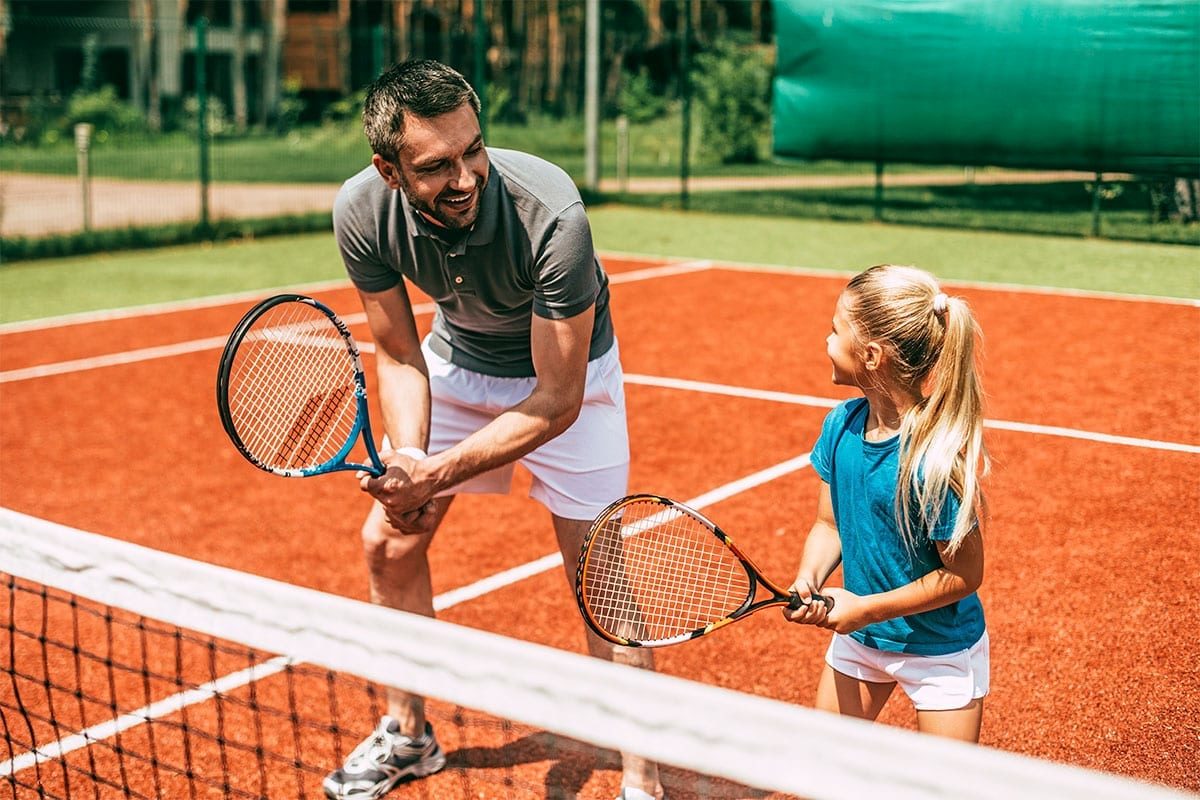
x=521, y=364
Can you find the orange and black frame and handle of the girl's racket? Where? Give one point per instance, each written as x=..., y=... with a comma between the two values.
x=779, y=597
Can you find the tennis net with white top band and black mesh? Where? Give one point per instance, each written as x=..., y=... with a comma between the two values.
x=130, y=672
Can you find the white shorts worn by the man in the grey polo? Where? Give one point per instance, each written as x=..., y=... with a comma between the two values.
x=578, y=473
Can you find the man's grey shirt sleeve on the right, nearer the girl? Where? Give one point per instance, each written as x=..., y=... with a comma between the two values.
x=566, y=273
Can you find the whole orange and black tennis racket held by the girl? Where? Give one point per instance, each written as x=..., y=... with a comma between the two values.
x=655, y=573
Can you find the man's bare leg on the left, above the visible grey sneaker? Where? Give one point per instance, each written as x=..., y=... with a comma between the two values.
x=399, y=569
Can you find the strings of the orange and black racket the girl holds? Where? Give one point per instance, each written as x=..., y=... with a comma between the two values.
x=657, y=573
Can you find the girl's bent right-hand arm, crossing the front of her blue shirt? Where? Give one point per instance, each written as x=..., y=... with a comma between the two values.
x=962, y=574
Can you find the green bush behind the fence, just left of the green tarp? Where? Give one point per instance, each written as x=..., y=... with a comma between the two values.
x=733, y=87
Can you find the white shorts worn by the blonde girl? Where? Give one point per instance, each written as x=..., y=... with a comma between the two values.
x=932, y=683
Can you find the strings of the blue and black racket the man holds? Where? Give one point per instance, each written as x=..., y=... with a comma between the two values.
x=292, y=389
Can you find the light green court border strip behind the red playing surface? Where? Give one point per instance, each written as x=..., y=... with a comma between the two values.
x=53, y=287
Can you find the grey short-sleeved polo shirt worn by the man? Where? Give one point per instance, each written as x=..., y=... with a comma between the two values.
x=530, y=252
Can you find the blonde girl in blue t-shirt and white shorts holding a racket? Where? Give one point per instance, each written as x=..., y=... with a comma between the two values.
x=901, y=508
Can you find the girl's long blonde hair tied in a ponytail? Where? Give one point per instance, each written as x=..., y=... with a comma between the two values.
x=929, y=340
